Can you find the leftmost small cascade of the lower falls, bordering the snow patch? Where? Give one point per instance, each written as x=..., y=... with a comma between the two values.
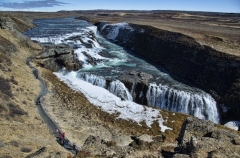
x=93, y=79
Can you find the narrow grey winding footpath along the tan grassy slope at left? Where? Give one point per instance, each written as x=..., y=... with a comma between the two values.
x=52, y=125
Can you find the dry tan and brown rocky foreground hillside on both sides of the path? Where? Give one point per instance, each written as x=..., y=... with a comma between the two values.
x=98, y=133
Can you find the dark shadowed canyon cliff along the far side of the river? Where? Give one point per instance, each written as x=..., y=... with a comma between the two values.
x=215, y=72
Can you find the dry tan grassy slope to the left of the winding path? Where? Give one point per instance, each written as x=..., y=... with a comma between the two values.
x=18, y=89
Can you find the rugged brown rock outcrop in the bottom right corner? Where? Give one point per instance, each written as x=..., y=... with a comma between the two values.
x=201, y=138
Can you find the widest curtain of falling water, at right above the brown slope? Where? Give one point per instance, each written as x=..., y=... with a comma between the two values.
x=201, y=105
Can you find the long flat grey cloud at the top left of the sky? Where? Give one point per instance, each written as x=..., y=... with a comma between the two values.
x=32, y=4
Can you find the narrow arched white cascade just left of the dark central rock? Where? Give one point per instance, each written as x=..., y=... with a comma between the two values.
x=119, y=89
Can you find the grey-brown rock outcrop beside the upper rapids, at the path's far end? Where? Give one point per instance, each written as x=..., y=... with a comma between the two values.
x=55, y=57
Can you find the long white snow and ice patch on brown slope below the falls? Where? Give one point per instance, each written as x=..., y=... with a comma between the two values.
x=112, y=104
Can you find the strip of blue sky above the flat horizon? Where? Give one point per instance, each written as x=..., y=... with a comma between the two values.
x=232, y=6
